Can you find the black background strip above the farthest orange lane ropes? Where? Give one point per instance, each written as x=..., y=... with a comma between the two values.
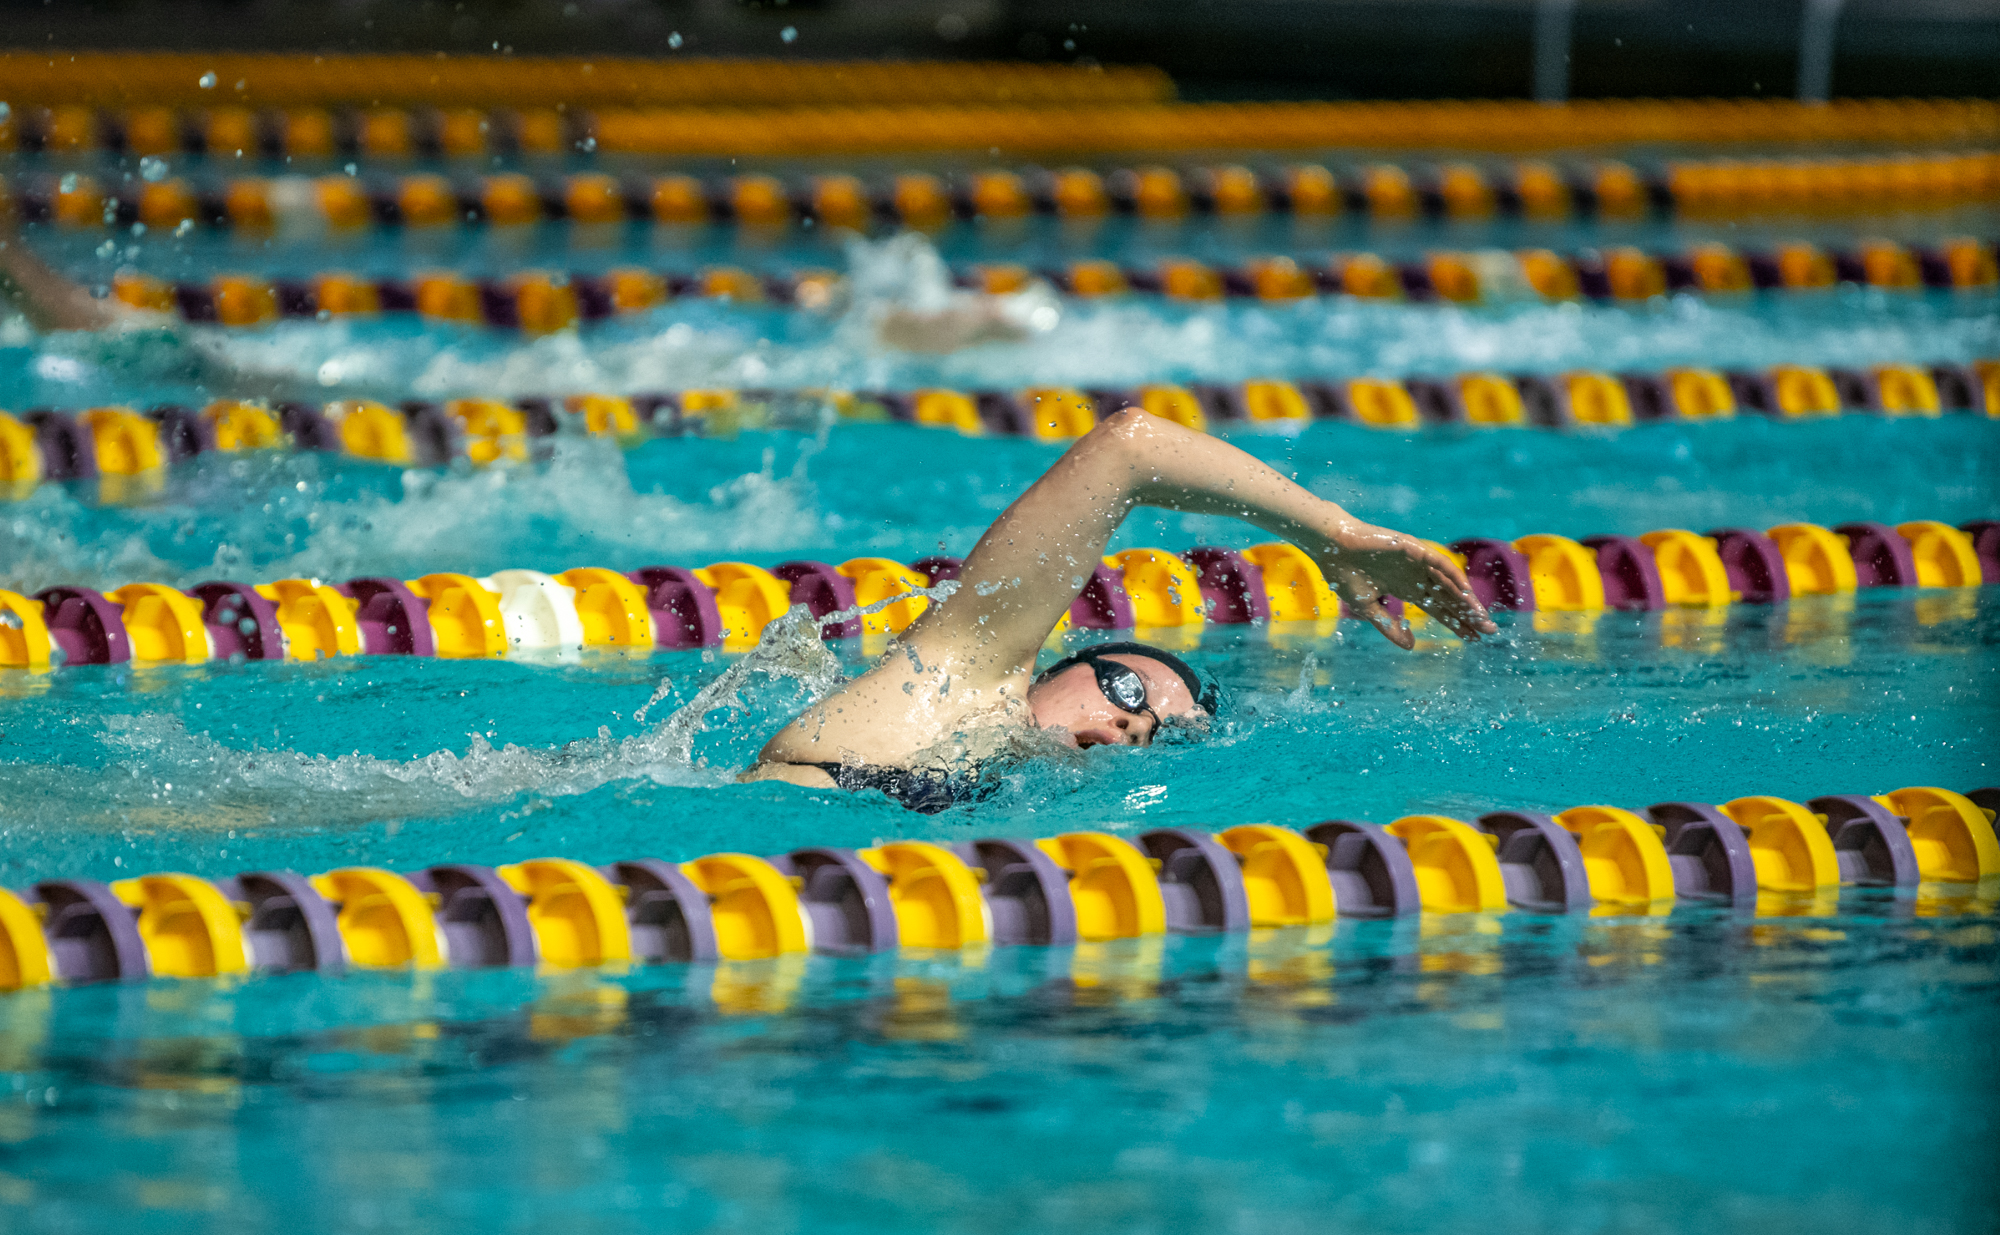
x=1215, y=49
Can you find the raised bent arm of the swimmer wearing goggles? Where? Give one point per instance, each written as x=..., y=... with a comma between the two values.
x=1029, y=567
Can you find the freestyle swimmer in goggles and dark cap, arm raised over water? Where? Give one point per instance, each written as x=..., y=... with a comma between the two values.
x=959, y=686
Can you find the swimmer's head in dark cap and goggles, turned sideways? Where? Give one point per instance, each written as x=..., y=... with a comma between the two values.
x=1121, y=694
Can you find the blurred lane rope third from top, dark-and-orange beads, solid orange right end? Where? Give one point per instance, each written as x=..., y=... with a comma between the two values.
x=913, y=199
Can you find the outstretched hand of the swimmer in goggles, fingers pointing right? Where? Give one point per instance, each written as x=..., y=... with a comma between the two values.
x=1367, y=565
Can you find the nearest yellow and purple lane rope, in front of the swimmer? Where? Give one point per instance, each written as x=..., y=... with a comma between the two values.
x=1757, y=854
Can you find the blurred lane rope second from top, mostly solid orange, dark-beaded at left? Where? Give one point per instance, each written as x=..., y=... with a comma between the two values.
x=1039, y=127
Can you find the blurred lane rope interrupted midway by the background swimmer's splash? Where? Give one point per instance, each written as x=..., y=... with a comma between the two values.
x=543, y=303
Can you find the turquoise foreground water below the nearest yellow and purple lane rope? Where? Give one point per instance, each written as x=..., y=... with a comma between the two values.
x=1521, y=1076
